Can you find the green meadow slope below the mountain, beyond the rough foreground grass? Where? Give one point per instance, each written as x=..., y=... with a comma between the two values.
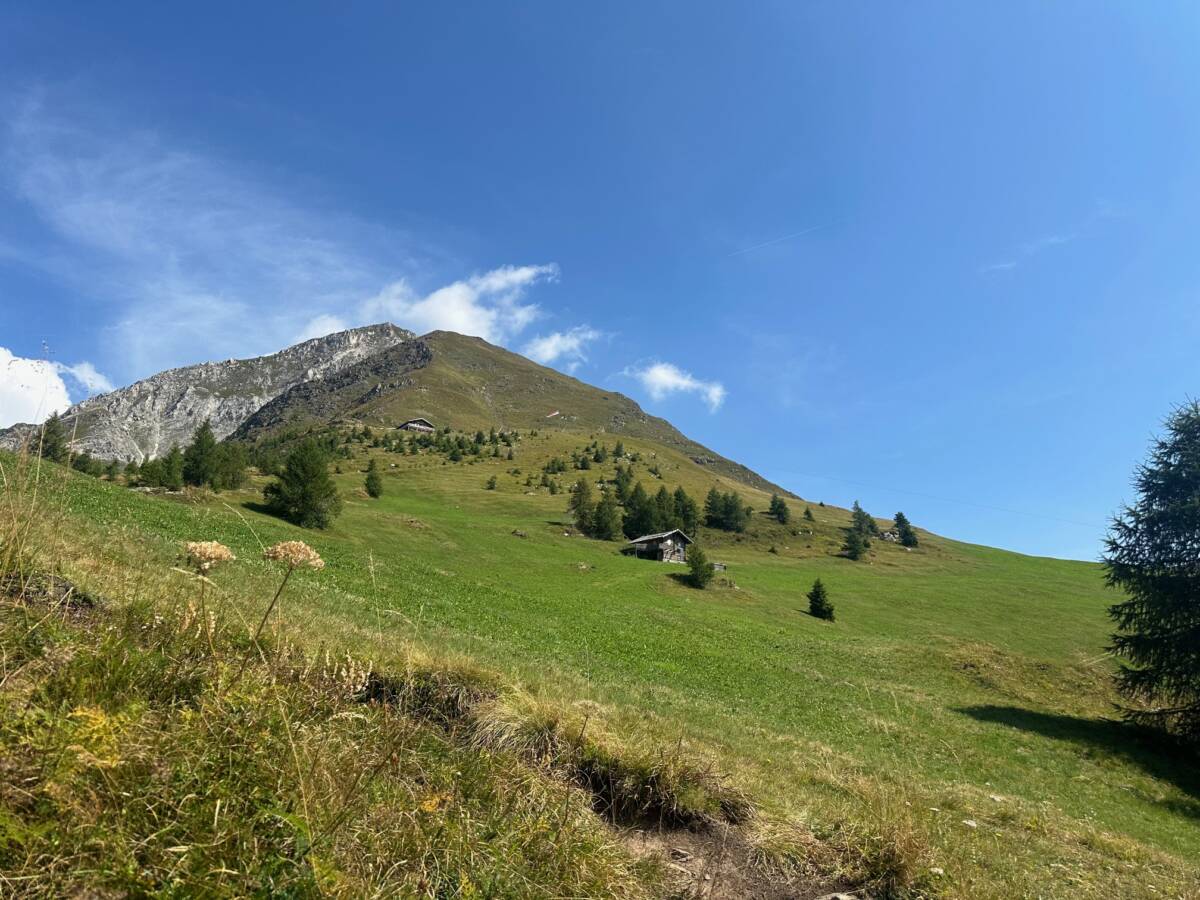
x=952, y=730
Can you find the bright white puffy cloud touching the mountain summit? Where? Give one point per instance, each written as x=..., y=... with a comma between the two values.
x=490, y=307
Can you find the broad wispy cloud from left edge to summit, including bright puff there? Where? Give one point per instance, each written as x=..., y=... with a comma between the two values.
x=191, y=257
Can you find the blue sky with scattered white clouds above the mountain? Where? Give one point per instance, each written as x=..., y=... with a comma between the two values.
x=939, y=257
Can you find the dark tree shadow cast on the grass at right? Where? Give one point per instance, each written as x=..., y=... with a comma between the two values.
x=1150, y=752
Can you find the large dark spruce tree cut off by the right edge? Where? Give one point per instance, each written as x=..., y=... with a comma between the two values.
x=1151, y=555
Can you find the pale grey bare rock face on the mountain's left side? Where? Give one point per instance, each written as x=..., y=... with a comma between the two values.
x=146, y=419
